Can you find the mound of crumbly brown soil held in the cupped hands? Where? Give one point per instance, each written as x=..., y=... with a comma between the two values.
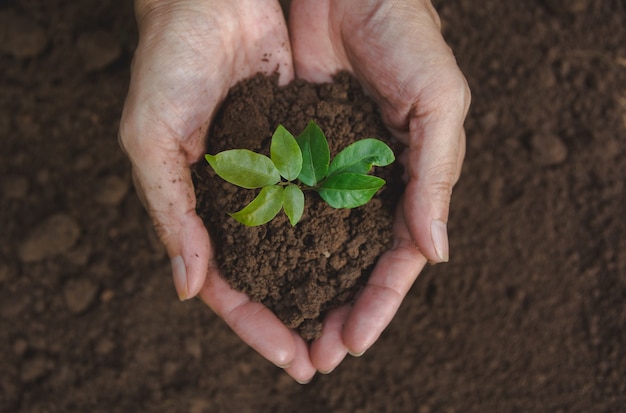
x=298, y=272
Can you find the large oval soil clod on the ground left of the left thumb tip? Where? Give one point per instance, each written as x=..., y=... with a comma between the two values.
x=54, y=236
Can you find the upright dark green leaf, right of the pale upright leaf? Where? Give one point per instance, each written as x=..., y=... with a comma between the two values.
x=315, y=155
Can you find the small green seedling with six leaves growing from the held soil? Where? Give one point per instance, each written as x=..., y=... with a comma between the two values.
x=300, y=164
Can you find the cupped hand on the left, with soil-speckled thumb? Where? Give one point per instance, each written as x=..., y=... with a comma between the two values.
x=189, y=54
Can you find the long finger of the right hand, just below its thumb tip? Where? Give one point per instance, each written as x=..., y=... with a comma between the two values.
x=395, y=272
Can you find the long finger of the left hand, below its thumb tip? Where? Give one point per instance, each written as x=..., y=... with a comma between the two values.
x=254, y=323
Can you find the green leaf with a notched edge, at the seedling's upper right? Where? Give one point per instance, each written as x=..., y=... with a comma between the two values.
x=360, y=156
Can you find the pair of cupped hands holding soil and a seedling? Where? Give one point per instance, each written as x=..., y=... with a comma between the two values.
x=191, y=52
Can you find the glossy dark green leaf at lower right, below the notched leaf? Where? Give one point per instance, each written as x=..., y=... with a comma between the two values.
x=349, y=190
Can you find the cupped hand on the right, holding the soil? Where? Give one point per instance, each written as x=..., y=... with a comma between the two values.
x=396, y=50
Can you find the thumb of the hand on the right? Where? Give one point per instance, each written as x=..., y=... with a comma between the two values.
x=435, y=156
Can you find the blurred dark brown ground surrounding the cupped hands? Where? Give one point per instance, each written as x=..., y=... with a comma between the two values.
x=528, y=316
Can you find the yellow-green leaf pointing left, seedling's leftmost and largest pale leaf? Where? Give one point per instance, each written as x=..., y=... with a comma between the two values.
x=244, y=168
